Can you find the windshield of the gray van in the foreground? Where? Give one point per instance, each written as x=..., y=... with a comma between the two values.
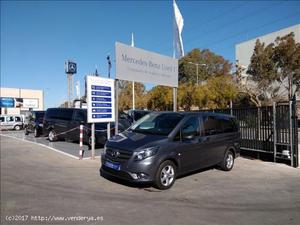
x=157, y=124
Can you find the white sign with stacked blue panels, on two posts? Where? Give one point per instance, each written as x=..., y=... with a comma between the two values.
x=100, y=104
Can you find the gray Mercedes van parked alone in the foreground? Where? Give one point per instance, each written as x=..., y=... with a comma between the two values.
x=164, y=145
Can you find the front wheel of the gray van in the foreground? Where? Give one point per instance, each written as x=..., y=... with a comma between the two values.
x=165, y=175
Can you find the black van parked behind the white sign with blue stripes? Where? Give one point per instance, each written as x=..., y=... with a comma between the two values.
x=63, y=123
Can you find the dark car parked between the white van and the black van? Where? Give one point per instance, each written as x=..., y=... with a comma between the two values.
x=34, y=123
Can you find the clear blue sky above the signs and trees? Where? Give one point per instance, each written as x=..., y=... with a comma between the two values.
x=38, y=36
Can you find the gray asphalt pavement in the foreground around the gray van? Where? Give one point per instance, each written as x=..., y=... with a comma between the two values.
x=41, y=186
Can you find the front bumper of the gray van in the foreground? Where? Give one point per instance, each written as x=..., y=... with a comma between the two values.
x=134, y=171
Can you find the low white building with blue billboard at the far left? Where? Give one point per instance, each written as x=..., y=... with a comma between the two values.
x=17, y=101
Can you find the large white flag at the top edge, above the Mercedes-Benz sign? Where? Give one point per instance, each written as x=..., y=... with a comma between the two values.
x=178, y=26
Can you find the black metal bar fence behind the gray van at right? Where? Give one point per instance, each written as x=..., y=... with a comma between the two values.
x=271, y=129
